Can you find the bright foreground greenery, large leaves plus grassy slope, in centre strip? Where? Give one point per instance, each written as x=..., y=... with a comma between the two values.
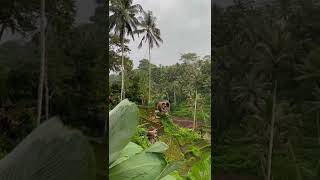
x=184, y=153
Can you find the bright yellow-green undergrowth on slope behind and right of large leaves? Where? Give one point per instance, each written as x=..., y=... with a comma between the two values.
x=184, y=145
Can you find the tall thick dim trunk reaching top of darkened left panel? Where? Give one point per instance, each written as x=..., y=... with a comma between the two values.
x=42, y=62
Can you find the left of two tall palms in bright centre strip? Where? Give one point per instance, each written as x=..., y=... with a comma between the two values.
x=123, y=21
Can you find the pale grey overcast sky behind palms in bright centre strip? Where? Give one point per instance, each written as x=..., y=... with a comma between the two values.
x=185, y=27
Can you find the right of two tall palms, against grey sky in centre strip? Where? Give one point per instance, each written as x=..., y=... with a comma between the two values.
x=151, y=35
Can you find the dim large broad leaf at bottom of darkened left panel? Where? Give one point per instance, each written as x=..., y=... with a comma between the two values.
x=50, y=152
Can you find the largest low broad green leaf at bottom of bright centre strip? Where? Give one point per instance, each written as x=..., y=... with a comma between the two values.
x=143, y=166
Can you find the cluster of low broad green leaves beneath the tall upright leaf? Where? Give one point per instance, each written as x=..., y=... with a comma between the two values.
x=133, y=163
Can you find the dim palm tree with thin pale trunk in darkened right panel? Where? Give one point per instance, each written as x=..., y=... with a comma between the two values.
x=274, y=52
